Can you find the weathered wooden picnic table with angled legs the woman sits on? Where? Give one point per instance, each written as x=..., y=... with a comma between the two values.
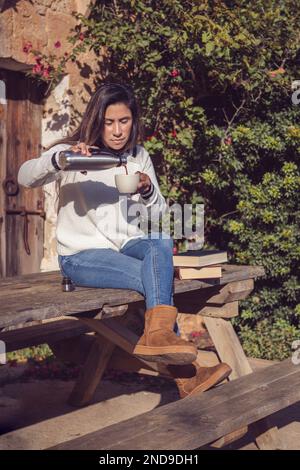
x=107, y=313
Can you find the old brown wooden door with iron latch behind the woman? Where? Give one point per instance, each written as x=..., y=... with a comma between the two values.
x=21, y=209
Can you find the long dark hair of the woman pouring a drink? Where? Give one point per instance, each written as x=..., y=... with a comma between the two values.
x=92, y=124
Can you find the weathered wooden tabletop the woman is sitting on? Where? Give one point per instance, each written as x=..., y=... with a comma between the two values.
x=39, y=296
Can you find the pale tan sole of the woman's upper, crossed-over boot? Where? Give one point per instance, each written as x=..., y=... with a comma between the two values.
x=167, y=354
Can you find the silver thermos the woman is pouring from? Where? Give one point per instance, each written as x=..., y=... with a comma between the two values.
x=100, y=160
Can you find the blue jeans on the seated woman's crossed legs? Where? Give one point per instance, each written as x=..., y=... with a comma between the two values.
x=143, y=264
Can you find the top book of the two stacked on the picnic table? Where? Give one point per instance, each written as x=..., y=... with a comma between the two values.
x=199, y=258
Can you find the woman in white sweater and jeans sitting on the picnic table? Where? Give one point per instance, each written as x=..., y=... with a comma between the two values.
x=98, y=242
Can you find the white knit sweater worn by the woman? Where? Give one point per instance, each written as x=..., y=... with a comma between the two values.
x=91, y=211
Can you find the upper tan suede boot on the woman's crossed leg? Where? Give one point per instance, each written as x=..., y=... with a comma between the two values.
x=159, y=343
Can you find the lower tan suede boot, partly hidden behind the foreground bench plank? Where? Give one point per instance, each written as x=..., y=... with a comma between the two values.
x=191, y=379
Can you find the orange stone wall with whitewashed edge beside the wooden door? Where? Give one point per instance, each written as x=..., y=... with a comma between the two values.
x=43, y=22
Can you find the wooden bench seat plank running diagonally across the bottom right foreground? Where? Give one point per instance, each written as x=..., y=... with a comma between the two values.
x=198, y=420
